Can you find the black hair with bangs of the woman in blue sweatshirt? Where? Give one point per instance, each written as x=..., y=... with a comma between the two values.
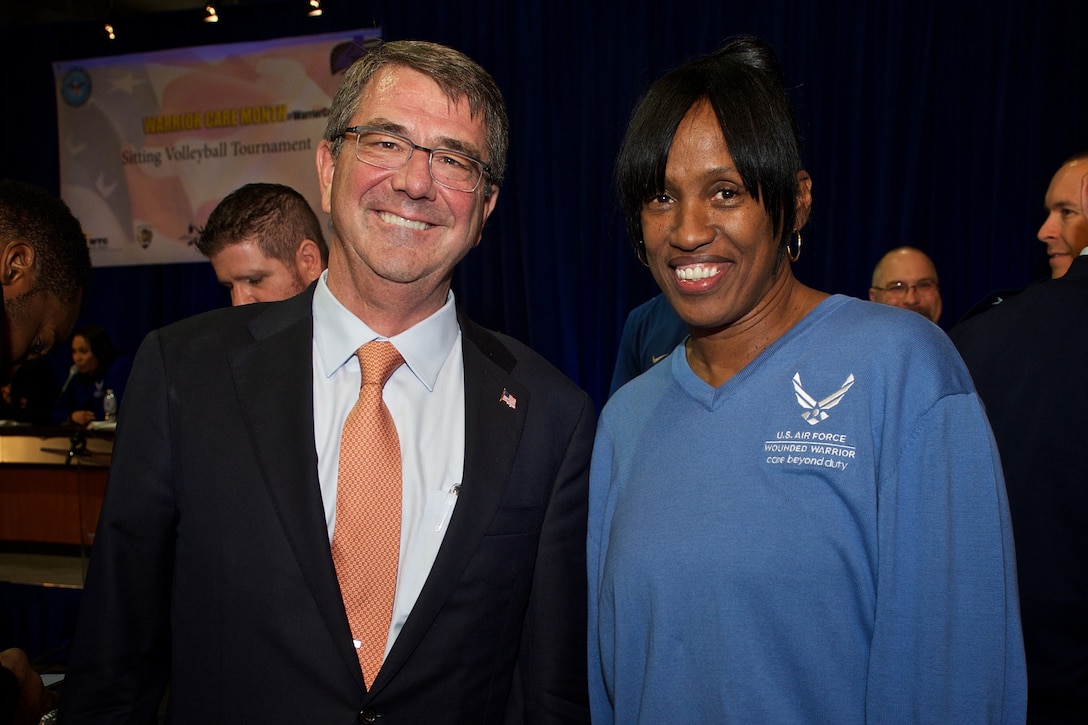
x=744, y=84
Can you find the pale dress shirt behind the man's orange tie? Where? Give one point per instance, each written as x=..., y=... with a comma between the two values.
x=426, y=398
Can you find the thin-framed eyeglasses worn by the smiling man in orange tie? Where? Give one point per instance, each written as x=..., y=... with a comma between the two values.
x=388, y=151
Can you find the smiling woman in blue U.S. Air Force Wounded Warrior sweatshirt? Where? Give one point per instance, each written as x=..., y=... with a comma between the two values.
x=799, y=517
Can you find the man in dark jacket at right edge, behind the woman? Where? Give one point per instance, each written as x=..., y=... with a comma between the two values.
x=1029, y=355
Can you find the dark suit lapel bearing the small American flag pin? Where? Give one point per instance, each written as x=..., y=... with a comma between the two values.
x=492, y=435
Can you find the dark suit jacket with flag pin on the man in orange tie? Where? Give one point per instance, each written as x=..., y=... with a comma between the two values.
x=212, y=564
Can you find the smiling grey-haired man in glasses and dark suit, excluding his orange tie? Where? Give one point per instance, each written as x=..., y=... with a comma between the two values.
x=213, y=566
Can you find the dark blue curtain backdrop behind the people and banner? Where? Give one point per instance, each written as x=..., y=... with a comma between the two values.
x=933, y=124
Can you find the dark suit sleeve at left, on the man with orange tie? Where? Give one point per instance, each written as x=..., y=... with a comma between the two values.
x=120, y=660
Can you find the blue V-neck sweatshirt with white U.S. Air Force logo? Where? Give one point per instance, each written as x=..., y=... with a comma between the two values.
x=823, y=539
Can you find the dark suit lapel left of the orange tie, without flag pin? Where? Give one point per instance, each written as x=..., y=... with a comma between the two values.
x=275, y=382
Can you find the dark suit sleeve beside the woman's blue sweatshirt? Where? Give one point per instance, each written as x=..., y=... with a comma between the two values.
x=550, y=679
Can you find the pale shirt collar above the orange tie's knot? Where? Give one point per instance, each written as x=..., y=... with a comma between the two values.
x=338, y=335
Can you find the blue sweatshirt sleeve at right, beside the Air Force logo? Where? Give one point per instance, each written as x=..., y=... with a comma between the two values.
x=947, y=641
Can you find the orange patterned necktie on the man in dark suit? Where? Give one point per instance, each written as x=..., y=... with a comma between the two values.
x=367, y=535
